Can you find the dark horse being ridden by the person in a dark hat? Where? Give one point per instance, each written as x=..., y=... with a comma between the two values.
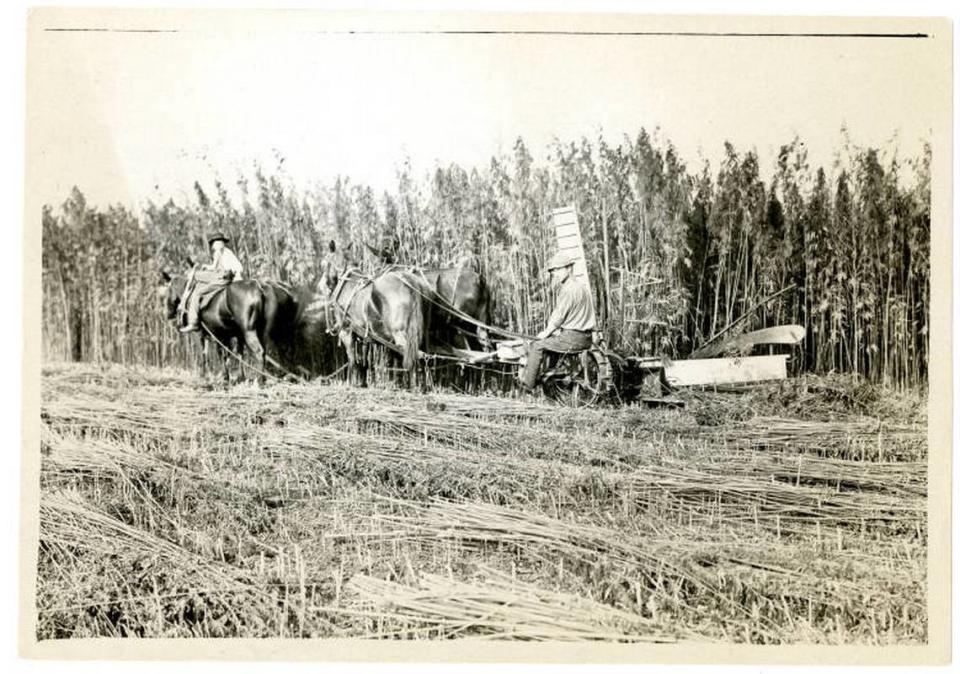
x=245, y=311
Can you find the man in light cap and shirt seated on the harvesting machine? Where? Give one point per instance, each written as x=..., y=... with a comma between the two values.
x=571, y=325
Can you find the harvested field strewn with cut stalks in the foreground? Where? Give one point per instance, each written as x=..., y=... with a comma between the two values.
x=794, y=513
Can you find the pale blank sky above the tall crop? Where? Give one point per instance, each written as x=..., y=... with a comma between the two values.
x=134, y=116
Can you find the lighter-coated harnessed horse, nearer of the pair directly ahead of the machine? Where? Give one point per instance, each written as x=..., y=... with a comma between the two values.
x=389, y=308
